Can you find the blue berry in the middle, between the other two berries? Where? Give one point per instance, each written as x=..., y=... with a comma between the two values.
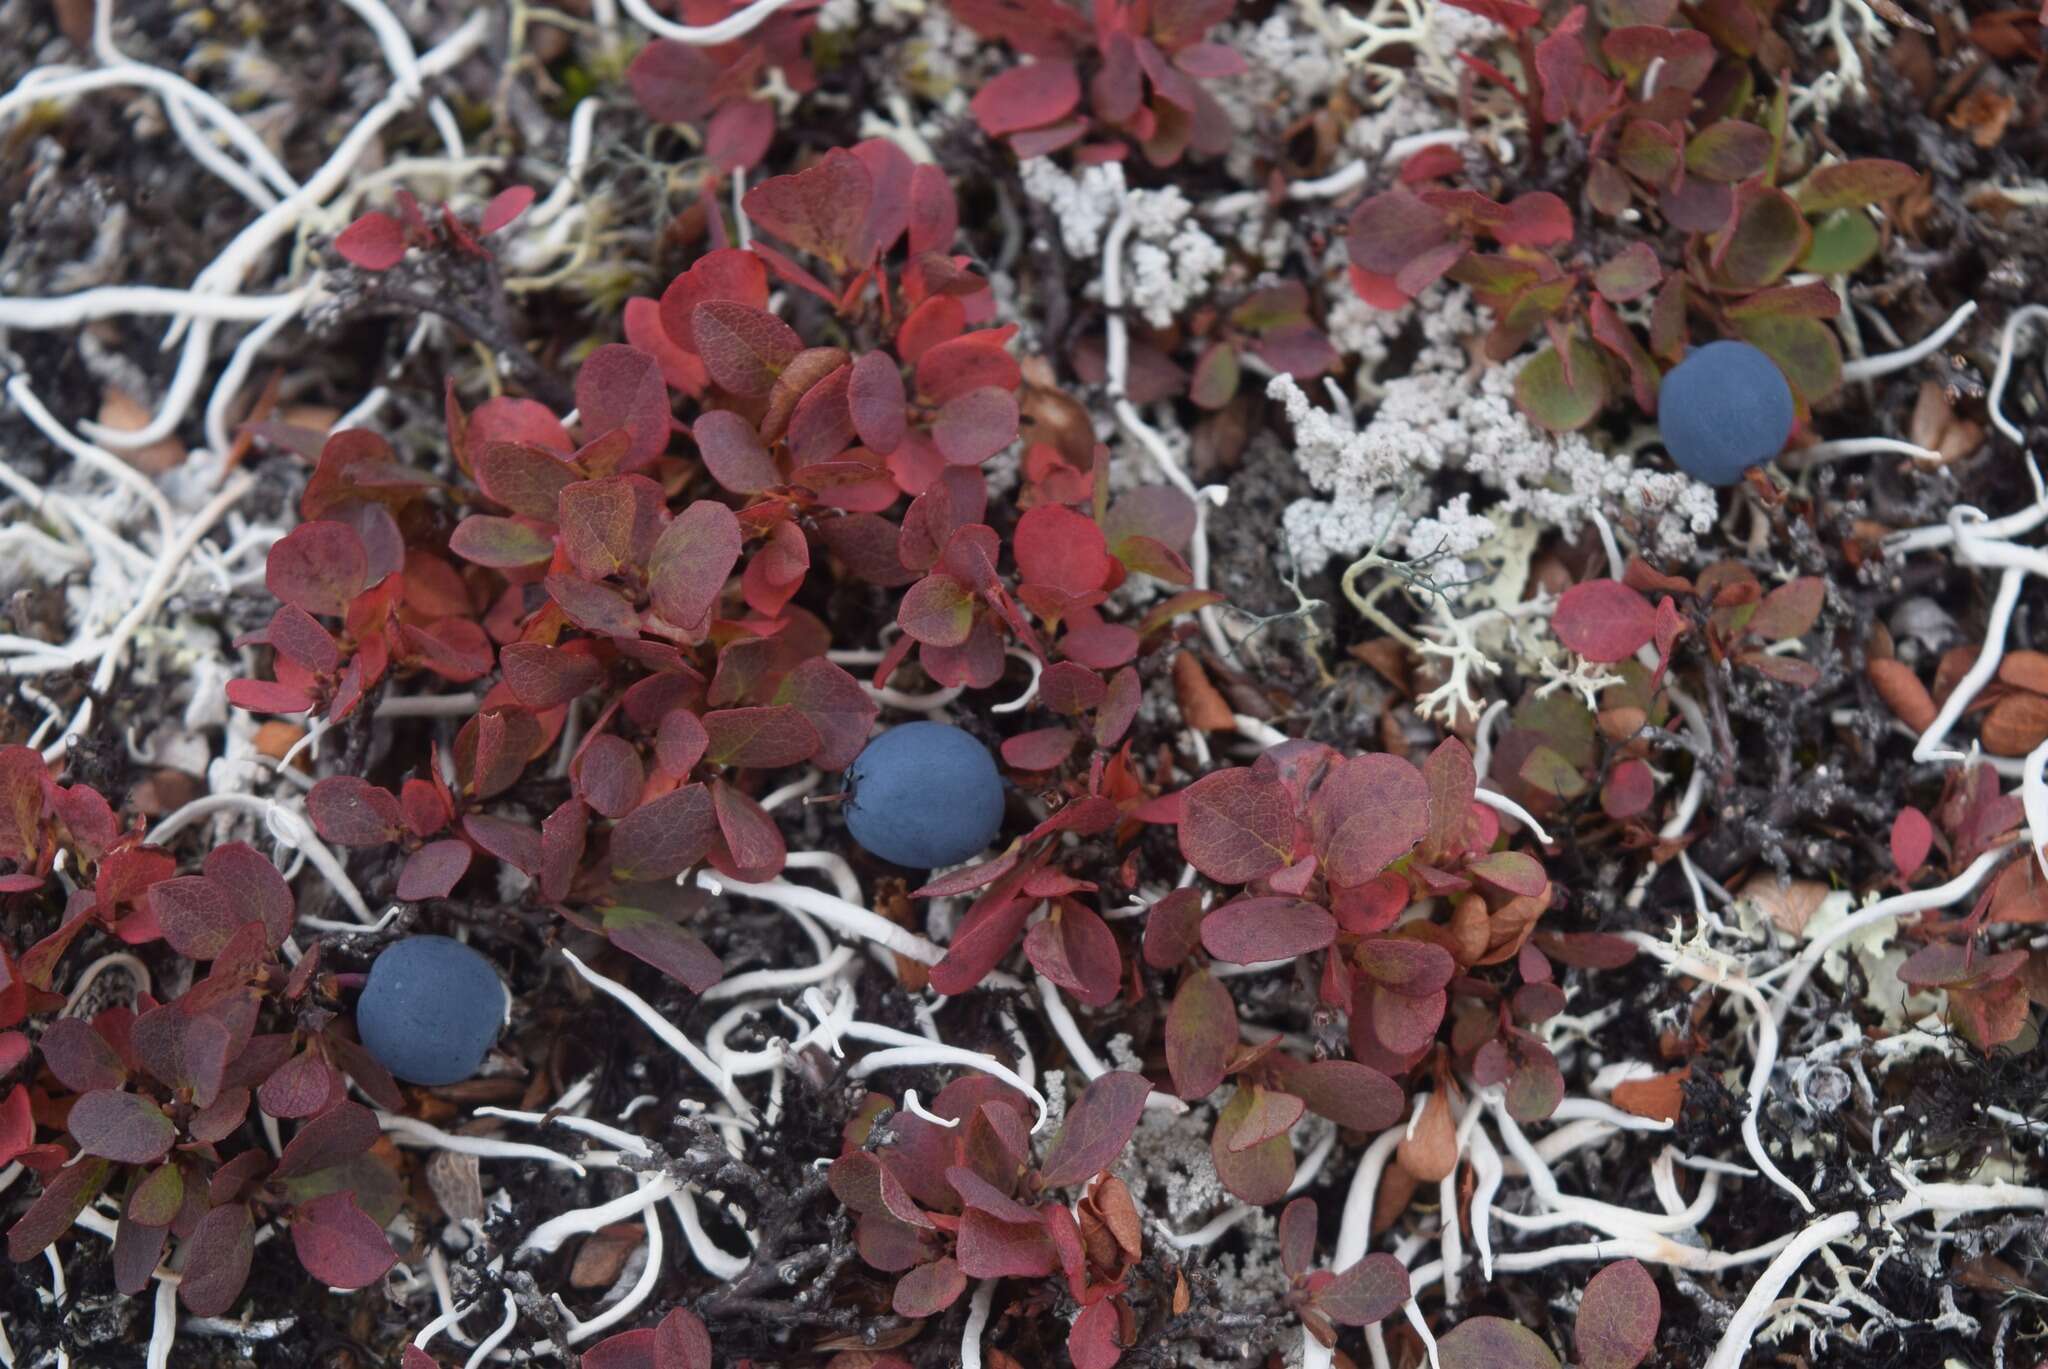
x=925, y=796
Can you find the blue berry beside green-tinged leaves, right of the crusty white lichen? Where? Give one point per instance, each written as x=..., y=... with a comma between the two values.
x=1725, y=409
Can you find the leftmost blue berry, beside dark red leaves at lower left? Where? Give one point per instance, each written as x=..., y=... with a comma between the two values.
x=431, y=1009
